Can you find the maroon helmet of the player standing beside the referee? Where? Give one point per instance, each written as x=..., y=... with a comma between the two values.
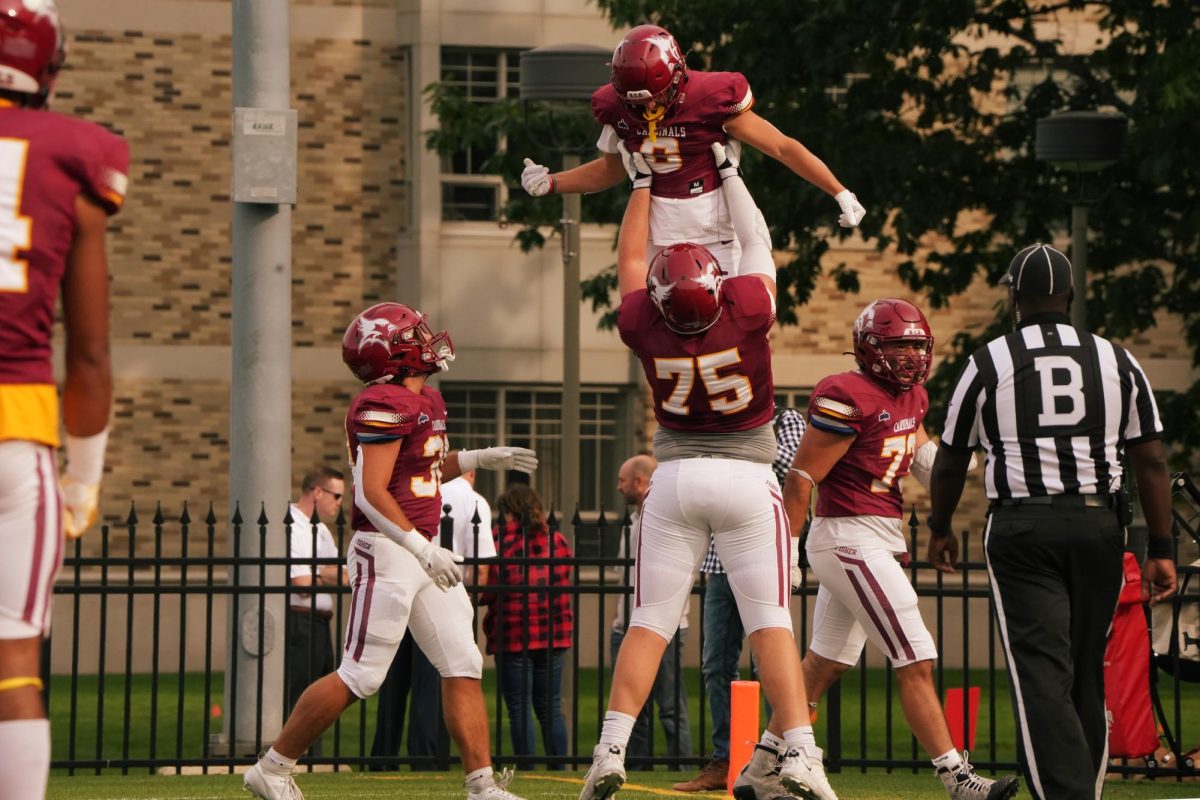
x=885, y=335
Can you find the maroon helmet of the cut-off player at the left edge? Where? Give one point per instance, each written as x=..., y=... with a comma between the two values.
x=32, y=49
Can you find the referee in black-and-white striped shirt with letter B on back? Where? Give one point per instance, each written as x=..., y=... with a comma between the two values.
x=1054, y=407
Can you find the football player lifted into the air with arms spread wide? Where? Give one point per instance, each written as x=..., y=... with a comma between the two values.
x=673, y=116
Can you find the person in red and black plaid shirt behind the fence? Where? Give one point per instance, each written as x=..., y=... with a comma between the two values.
x=530, y=633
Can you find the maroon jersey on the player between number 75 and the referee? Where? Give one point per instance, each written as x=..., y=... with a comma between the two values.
x=867, y=480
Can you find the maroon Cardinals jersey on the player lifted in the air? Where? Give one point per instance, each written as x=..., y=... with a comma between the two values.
x=681, y=155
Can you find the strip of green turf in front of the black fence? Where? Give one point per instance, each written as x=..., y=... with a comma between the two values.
x=533, y=786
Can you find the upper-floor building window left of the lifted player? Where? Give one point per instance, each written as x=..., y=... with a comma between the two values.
x=484, y=76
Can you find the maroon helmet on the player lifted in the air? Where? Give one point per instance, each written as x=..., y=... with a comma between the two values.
x=649, y=67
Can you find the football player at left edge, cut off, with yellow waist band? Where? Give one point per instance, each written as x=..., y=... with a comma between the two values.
x=61, y=178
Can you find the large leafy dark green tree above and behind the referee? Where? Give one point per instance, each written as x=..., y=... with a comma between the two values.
x=928, y=112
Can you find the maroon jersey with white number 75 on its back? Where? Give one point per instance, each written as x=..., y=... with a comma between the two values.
x=716, y=382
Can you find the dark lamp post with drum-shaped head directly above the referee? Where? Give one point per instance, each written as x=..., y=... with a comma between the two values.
x=1081, y=142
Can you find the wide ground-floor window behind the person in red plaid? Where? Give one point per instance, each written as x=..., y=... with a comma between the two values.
x=531, y=417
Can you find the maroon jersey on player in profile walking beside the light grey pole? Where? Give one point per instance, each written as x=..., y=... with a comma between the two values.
x=389, y=412
